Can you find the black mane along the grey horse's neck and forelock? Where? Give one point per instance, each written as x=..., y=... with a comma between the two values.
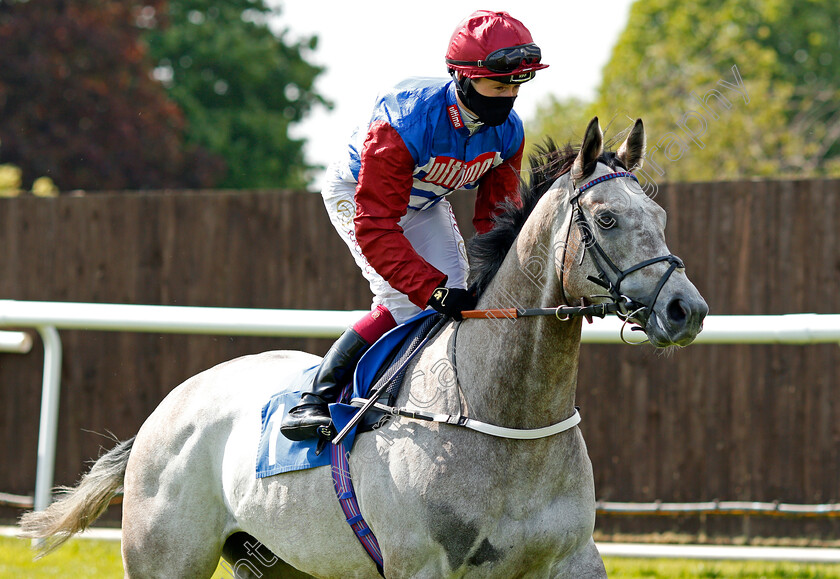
x=487, y=251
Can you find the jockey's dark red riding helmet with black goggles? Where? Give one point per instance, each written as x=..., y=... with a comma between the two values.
x=493, y=44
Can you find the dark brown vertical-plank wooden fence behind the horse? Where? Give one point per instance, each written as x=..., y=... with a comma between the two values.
x=728, y=422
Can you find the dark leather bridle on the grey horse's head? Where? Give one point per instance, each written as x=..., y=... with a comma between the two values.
x=610, y=275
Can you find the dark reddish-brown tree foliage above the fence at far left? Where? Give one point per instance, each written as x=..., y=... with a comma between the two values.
x=78, y=103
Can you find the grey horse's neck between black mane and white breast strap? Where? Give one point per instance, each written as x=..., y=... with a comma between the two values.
x=522, y=373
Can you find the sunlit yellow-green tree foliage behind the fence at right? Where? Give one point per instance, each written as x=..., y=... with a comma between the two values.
x=727, y=88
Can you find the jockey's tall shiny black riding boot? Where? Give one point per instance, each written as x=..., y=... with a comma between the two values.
x=306, y=420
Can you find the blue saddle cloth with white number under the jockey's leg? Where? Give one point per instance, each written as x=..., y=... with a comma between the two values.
x=277, y=454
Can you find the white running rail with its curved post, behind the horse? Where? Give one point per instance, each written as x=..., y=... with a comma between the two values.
x=49, y=317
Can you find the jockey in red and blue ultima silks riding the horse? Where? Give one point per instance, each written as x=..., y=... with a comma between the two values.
x=425, y=139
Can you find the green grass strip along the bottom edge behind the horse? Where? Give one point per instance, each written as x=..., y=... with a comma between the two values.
x=88, y=559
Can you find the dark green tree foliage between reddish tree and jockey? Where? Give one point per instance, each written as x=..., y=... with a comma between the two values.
x=240, y=86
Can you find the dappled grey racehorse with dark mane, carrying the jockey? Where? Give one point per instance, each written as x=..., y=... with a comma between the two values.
x=443, y=501
